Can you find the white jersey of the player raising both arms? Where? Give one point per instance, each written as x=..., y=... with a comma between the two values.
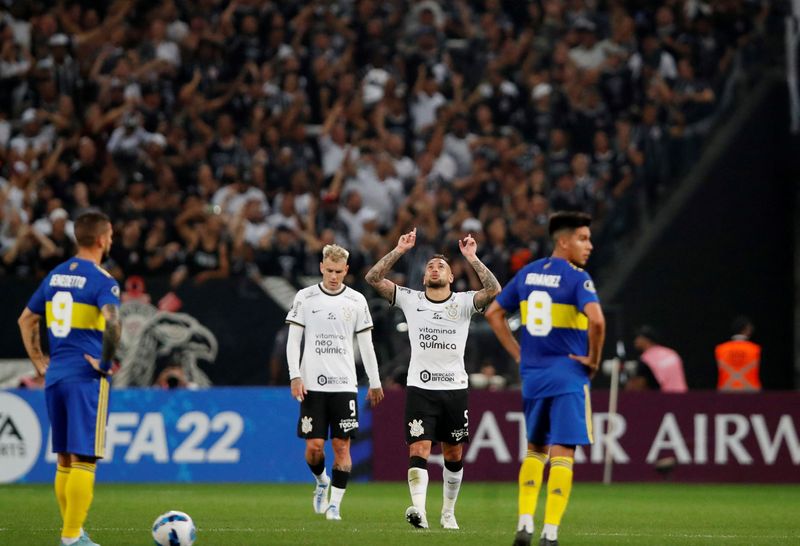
x=438, y=335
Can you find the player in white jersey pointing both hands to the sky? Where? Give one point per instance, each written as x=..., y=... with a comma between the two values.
x=436, y=395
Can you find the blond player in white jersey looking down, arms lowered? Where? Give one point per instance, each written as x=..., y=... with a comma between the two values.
x=330, y=314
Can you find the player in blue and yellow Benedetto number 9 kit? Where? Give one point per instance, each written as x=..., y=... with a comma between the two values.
x=80, y=302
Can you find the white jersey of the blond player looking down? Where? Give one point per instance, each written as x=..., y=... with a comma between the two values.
x=330, y=322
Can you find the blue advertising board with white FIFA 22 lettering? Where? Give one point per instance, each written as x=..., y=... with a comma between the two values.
x=212, y=435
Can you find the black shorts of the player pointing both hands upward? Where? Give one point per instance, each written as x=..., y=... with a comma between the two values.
x=439, y=416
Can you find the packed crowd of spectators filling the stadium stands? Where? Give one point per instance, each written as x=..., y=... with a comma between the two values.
x=239, y=137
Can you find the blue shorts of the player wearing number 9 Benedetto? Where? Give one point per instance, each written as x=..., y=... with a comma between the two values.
x=78, y=412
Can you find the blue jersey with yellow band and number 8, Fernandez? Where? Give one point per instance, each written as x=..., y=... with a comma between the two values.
x=551, y=294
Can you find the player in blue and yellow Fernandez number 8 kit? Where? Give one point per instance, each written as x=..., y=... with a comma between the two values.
x=559, y=350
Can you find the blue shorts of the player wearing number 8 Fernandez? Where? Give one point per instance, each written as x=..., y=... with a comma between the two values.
x=565, y=419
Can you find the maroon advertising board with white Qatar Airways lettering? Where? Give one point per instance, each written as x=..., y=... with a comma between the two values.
x=693, y=437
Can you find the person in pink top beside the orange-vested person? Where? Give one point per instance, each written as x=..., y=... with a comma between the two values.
x=659, y=367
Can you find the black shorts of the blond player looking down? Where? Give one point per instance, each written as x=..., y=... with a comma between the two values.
x=324, y=411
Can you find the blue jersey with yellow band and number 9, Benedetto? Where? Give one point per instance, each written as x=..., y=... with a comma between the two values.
x=71, y=298
